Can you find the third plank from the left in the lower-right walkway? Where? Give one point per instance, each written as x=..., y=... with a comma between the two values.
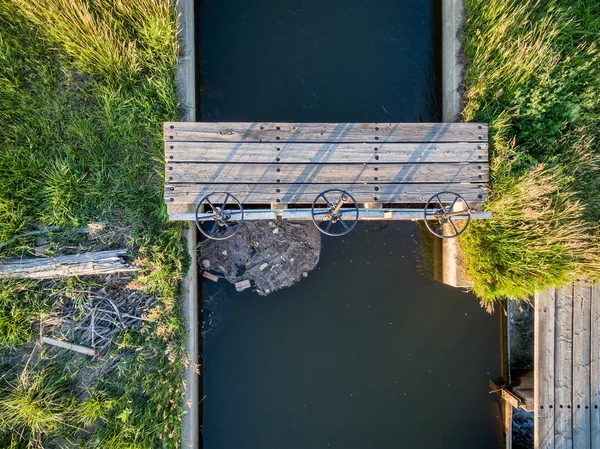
x=581, y=364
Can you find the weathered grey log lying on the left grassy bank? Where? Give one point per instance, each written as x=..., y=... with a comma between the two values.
x=84, y=264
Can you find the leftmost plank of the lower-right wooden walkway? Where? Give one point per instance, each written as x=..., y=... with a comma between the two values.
x=544, y=369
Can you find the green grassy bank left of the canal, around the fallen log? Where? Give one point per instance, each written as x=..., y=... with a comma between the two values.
x=84, y=89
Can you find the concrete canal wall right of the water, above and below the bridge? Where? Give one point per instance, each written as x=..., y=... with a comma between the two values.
x=447, y=253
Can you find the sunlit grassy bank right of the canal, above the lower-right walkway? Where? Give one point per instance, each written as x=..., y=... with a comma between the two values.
x=533, y=73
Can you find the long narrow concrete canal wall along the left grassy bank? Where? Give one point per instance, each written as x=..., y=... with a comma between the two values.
x=186, y=90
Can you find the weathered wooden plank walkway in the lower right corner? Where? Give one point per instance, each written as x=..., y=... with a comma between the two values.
x=567, y=367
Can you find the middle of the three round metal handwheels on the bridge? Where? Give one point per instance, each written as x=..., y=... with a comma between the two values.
x=340, y=214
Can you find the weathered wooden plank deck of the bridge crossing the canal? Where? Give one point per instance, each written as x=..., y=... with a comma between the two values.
x=287, y=164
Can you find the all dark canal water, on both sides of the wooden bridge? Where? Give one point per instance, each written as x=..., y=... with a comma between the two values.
x=366, y=352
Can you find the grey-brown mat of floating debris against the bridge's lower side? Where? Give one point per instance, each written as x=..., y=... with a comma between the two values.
x=290, y=253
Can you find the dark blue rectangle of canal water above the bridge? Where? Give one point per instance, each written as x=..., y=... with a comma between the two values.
x=318, y=60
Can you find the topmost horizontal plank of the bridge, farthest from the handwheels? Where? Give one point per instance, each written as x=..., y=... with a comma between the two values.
x=325, y=132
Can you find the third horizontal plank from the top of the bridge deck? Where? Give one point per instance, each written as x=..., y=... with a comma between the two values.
x=327, y=174
